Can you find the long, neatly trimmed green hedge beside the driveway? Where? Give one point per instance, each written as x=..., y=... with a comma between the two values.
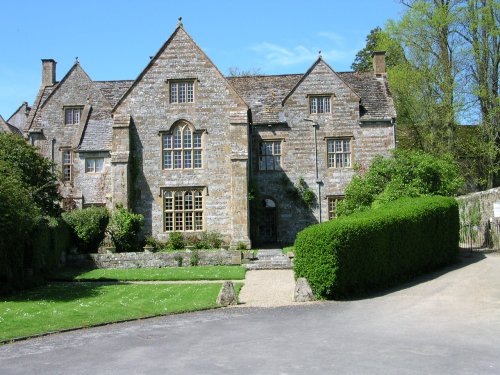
x=376, y=248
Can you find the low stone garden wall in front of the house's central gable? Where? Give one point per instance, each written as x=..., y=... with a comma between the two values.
x=153, y=260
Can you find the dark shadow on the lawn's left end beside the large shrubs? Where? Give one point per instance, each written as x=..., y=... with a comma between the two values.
x=57, y=292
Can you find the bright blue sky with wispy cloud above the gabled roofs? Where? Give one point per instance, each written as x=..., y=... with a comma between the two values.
x=114, y=39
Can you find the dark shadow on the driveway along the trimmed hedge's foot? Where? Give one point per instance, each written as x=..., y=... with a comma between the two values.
x=464, y=259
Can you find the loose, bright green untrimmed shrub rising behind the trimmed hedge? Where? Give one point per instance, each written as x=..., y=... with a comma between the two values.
x=407, y=174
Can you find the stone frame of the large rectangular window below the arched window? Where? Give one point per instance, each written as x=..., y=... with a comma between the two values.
x=180, y=216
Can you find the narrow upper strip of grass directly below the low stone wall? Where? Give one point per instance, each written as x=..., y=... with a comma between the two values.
x=153, y=274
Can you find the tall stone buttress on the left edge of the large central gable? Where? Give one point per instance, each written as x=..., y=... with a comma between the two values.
x=120, y=154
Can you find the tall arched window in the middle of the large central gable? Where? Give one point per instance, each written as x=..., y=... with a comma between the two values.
x=182, y=148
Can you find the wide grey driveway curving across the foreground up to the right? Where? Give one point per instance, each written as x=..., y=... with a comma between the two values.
x=445, y=323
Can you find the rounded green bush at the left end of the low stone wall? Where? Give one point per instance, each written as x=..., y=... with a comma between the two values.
x=88, y=227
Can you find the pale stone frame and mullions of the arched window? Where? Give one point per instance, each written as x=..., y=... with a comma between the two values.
x=194, y=149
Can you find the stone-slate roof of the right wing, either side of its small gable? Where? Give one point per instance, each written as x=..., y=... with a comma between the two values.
x=264, y=95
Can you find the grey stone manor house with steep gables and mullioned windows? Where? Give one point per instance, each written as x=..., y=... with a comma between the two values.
x=194, y=151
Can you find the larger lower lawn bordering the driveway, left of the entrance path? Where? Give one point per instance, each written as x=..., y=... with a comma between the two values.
x=63, y=306
